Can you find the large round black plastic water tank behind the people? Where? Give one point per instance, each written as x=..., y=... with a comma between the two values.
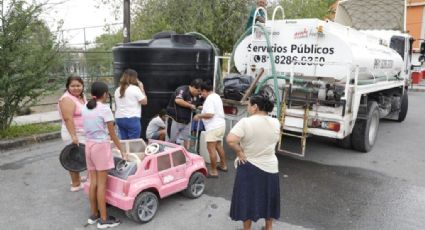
x=164, y=63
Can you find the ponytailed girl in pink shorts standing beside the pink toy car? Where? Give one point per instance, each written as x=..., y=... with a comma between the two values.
x=98, y=124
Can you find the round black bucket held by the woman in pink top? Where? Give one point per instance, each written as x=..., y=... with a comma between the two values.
x=73, y=158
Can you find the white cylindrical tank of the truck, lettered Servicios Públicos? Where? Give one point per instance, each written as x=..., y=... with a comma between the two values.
x=316, y=48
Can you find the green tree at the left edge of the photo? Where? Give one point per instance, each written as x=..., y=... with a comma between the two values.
x=27, y=53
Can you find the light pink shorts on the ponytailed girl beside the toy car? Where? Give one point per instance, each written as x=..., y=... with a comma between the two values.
x=99, y=156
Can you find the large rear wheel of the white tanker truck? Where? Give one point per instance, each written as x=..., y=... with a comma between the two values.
x=365, y=130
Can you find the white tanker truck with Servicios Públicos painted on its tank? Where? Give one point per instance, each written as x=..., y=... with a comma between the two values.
x=327, y=79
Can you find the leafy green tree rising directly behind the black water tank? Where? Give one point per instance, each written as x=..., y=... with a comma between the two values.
x=222, y=21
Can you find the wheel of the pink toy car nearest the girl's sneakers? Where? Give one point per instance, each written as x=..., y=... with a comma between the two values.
x=145, y=207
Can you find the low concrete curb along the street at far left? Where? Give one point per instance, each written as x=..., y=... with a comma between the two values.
x=23, y=141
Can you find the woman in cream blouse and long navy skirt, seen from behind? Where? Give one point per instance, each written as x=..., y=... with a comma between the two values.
x=256, y=191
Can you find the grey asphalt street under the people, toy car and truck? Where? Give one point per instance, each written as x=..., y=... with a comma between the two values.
x=332, y=188
